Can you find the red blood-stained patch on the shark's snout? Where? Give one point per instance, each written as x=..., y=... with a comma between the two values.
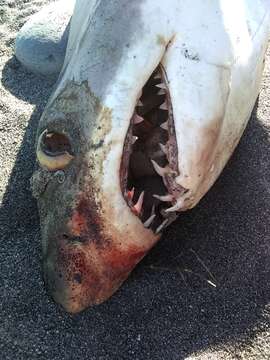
x=96, y=267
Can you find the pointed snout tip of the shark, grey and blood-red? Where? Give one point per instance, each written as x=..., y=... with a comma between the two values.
x=82, y=268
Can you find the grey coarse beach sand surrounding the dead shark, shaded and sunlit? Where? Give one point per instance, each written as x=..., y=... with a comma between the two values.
x=171, y=307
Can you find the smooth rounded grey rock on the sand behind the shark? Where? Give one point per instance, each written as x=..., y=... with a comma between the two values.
x=41, y=43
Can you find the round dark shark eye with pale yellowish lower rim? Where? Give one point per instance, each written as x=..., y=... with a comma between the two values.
x=54, y=151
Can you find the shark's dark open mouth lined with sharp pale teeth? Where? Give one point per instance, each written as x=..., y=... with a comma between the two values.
x=150, y=157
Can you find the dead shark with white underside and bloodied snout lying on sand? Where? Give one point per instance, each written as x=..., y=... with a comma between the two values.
x=209, y=57
